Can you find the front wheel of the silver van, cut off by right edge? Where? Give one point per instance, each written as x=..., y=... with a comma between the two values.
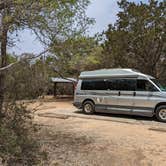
x=160, y=115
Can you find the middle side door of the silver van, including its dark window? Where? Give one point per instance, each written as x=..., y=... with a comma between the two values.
x=123, y=90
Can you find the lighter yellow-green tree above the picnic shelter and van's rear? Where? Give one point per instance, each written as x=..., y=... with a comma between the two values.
x=77, y=54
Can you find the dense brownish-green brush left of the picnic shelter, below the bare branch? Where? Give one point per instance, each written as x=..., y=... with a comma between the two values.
x=27, y=81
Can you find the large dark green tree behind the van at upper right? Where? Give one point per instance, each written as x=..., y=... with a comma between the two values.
x=138, y=38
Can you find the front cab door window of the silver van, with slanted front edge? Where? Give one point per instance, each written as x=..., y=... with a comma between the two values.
x=145, y=85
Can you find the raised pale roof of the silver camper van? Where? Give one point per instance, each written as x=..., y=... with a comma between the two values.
x=105, y=73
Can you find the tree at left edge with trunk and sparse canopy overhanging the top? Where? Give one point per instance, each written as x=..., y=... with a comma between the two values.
x=48, y=19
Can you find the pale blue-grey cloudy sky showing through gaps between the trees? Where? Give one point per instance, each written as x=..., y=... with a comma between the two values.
x=104, y=12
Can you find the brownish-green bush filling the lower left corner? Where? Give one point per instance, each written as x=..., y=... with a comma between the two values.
x=18, y=144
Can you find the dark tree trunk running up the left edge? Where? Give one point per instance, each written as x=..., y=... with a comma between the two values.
x=4, y=34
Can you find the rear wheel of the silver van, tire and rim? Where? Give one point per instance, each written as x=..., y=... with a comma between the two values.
x=88, y=107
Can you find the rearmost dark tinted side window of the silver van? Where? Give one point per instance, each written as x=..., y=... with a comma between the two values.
x=94, y=85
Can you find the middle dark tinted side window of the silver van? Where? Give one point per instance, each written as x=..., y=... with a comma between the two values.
x=122, y=84
